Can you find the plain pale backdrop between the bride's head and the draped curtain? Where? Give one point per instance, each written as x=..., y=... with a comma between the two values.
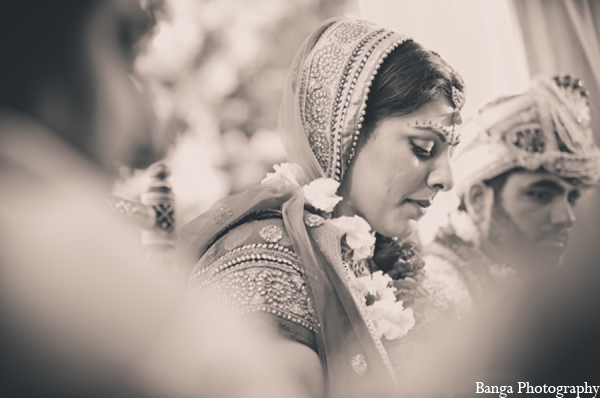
x=481, y=39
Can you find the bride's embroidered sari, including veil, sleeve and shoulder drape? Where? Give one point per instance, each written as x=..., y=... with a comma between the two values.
x=262, y=251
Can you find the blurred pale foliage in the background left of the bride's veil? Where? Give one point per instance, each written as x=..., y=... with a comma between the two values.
x=214, y=71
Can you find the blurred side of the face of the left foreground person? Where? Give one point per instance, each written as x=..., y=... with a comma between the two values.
x=120, y=118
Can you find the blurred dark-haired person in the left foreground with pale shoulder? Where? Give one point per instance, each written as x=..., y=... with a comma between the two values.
x=79, y=316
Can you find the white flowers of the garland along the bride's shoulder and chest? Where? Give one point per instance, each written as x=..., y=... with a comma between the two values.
x=388, y=314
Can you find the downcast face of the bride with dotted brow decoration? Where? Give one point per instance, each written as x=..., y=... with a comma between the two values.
x=399, y=169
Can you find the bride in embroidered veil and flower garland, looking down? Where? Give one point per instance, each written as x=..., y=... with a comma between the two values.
x=368, y=122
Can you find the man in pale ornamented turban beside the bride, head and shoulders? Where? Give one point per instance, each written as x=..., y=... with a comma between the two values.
x=520, y=169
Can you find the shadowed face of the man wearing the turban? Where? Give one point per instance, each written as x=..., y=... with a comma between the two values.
x=532, y=216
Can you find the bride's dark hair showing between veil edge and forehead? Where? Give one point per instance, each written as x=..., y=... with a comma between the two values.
x=410, y=77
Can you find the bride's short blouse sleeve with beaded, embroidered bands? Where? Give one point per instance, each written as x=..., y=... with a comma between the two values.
x=254, y=269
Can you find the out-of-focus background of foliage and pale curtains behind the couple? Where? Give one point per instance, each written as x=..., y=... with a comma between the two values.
x=214, y=71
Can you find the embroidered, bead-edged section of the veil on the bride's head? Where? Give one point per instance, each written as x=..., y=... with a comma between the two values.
x=334, y=86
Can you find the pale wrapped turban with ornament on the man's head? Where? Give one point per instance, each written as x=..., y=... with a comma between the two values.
x=546, y=127
